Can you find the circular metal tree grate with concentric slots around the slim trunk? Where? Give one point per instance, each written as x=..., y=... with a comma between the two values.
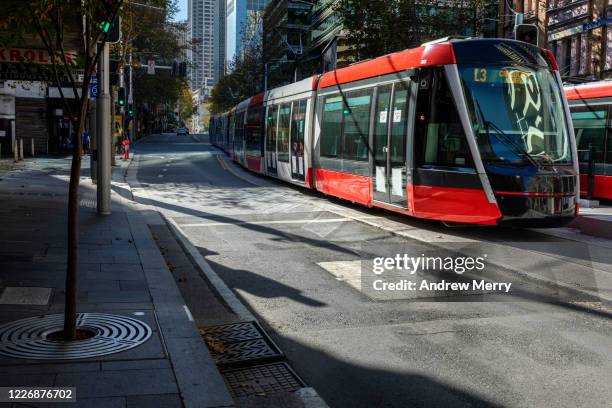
x=27, y=338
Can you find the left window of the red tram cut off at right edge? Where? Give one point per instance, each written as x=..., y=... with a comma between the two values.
x=590, y=129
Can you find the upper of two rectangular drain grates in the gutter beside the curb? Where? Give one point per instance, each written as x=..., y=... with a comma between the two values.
x=239, y=344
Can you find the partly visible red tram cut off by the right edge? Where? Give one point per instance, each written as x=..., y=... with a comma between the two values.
x=591, y=108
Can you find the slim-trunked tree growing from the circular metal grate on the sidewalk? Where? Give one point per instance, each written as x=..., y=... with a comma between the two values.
x=53, y=23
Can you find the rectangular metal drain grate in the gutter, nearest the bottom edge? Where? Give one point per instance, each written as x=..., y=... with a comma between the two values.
x=262, y=380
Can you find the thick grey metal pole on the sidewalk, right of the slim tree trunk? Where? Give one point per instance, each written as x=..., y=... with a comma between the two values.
x=104, y=139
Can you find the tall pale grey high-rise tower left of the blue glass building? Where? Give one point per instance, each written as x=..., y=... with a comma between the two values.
x=207, y=35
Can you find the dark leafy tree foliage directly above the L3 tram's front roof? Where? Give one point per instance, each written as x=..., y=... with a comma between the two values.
x=379, y=27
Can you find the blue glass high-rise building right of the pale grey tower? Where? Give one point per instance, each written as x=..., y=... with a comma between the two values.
x=243, y=25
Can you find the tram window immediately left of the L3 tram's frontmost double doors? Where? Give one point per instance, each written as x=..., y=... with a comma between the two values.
x=356, y=125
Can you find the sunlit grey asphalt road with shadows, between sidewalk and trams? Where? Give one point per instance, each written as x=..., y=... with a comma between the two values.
x=290, y=256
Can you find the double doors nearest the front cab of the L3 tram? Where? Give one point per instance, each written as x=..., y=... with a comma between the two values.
x=390, y=131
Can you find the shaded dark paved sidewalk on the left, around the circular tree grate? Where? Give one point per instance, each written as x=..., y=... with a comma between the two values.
x=122, y=272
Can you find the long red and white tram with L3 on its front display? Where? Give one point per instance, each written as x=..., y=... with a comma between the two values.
x=466, y=131
